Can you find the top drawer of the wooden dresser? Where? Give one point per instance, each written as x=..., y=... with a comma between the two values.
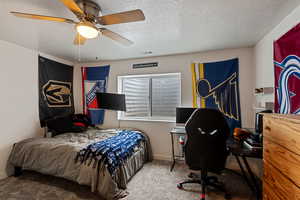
x=282, y=131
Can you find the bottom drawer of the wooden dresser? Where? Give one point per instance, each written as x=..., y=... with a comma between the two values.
x=281, y=187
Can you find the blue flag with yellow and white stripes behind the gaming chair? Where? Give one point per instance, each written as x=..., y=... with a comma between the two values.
x=216, y=85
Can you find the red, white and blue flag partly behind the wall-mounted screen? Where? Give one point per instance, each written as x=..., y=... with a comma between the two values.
x=94, y=79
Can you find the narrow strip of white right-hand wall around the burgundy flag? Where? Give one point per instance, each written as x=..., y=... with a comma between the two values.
x=263, y=53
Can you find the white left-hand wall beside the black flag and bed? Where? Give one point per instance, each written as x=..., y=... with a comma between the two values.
x=19, y=116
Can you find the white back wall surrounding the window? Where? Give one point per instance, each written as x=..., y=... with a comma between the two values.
x=159, y=131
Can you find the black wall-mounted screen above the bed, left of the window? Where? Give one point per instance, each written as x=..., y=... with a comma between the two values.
x=111, y=101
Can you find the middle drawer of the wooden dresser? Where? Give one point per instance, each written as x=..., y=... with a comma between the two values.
x=287, y=162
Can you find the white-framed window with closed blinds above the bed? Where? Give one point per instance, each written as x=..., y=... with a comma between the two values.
x=152, y=97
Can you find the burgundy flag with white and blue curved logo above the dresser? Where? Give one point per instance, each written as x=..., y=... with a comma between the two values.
x=287, y=72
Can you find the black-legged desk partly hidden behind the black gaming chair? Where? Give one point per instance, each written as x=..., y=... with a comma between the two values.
x=241, y=154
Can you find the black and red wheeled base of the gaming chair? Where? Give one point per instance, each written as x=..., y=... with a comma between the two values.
x=204, y=180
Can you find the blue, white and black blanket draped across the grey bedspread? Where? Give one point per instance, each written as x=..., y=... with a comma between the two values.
x=112, y=151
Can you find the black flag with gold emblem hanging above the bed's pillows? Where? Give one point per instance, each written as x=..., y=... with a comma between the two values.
x=55, y=89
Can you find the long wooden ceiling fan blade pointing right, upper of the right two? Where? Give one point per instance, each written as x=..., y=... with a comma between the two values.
x=123, y=17
